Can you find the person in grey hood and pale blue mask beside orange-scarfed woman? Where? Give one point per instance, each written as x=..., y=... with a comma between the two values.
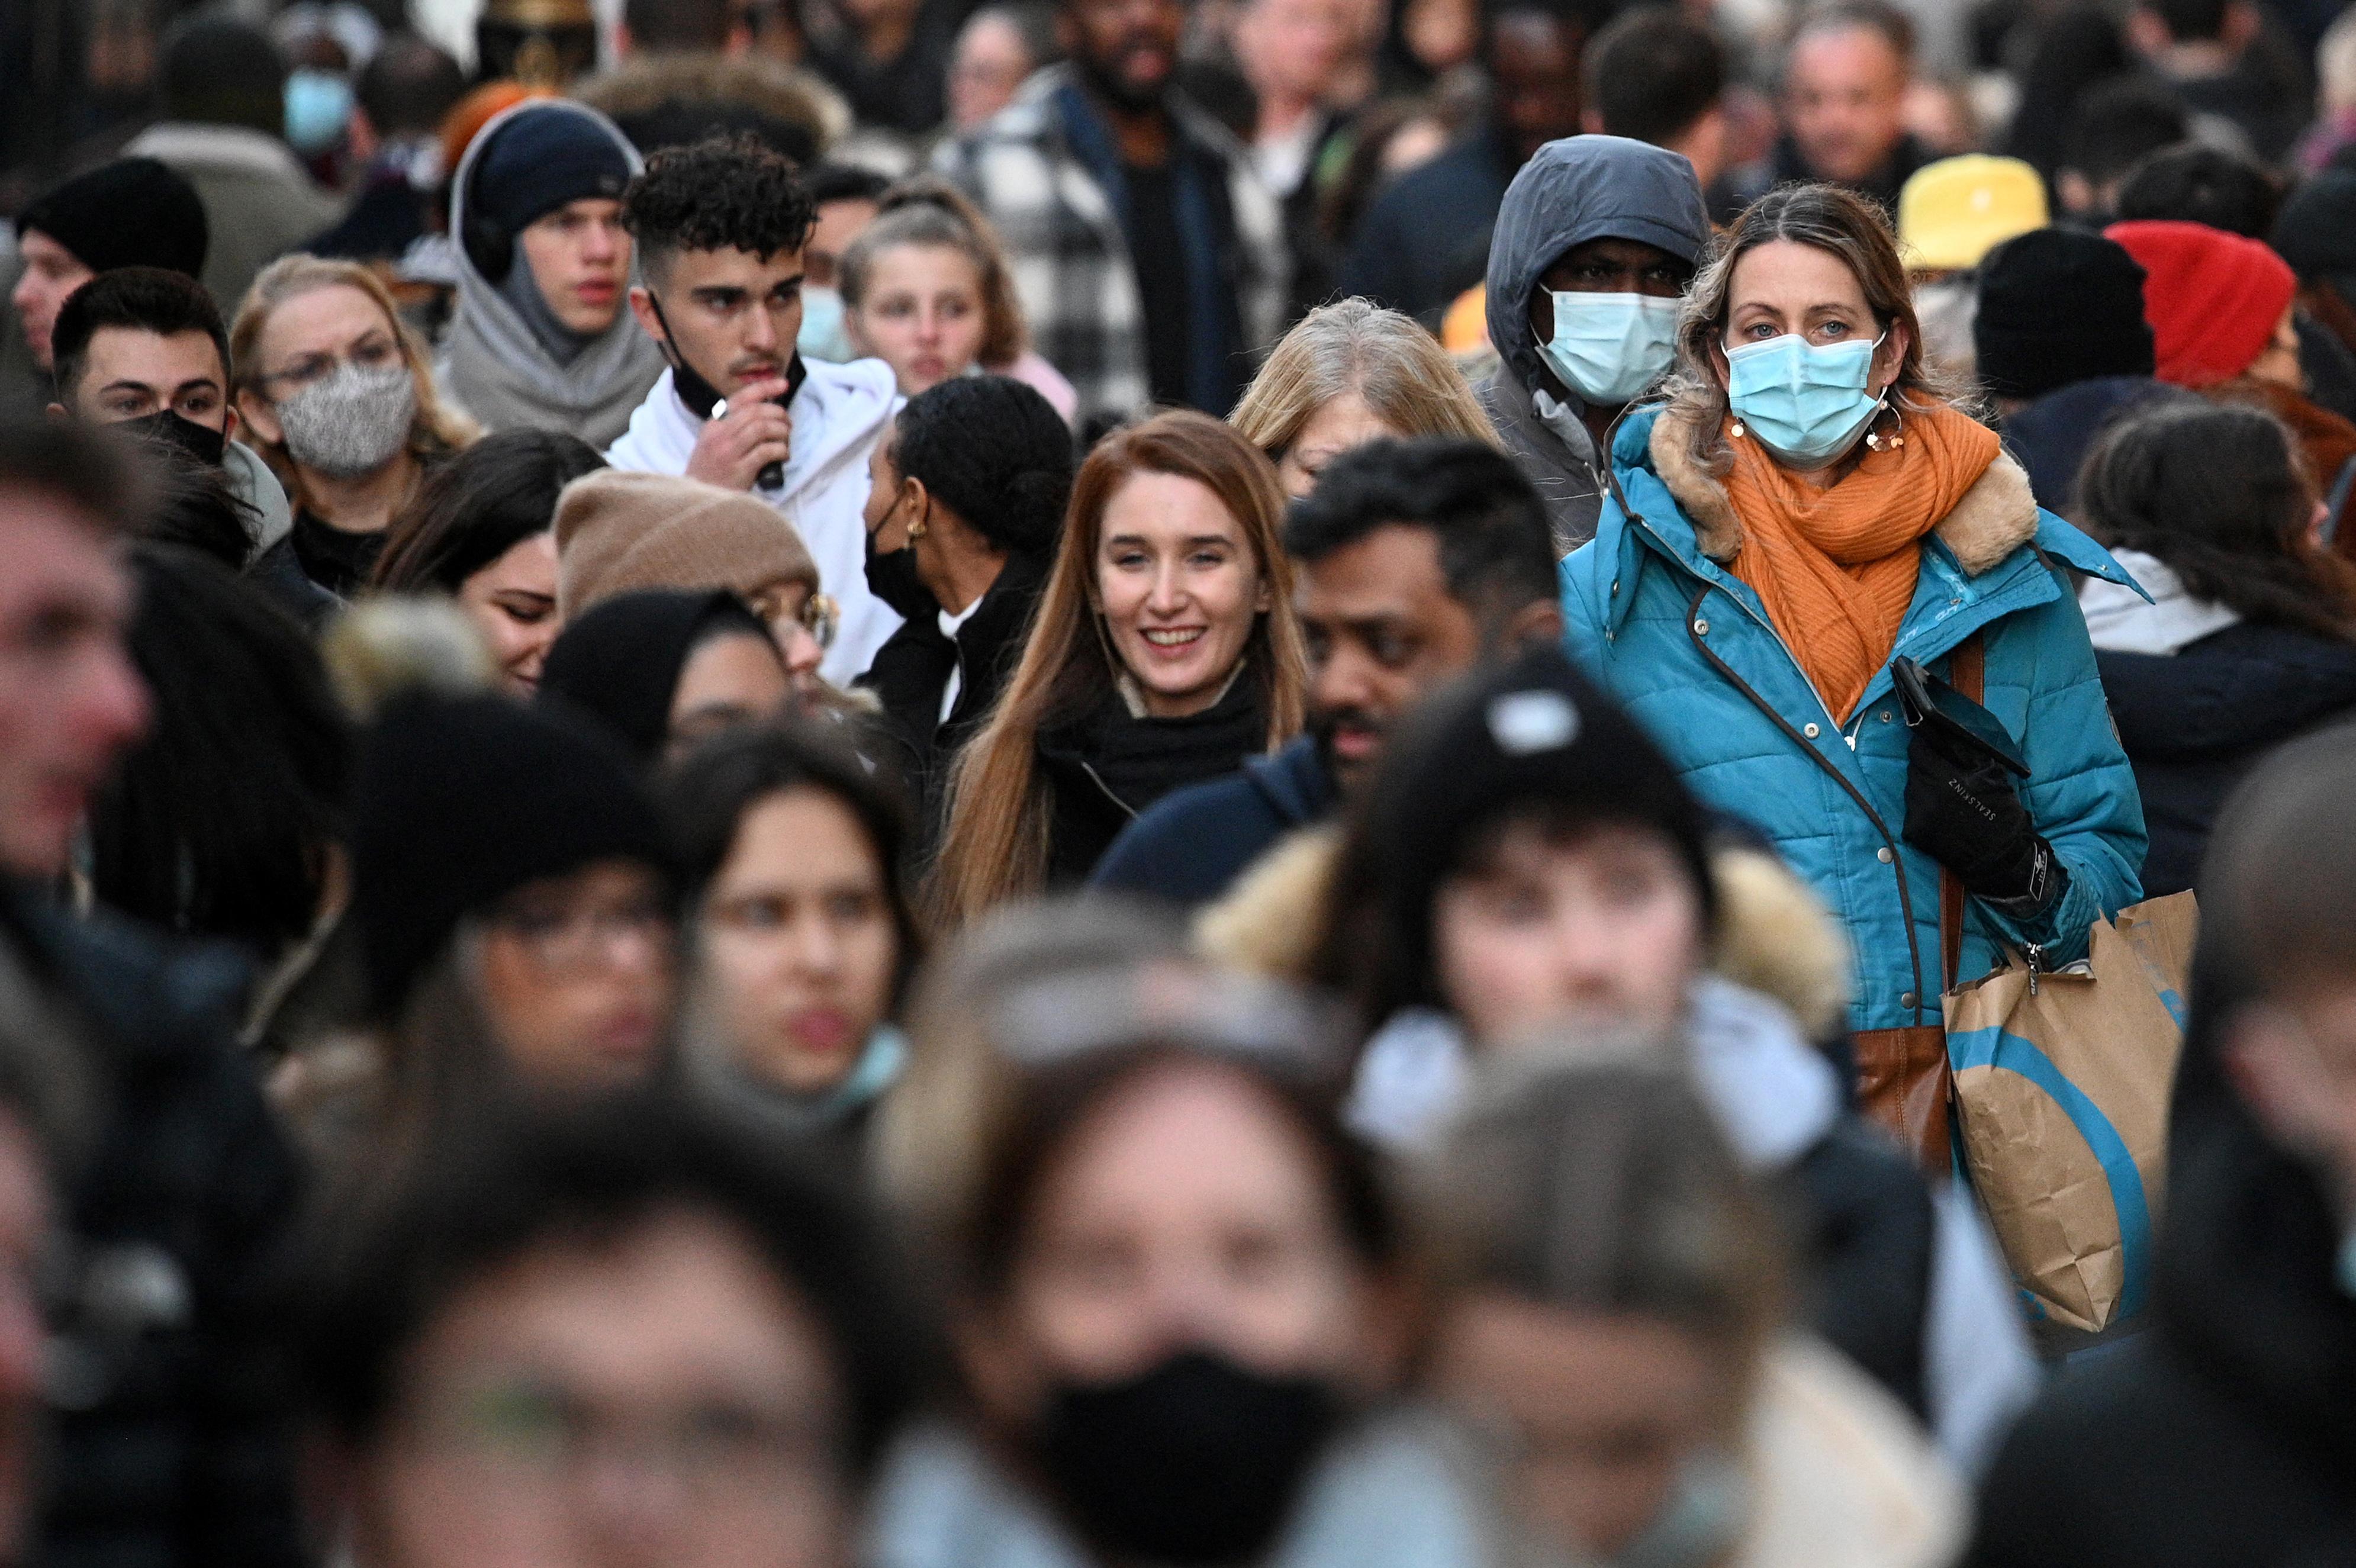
x=1594, y=246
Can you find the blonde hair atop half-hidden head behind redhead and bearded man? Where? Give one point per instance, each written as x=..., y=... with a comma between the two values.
x=1358, y=347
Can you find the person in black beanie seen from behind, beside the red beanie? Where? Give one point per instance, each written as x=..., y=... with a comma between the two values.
x=2063, y=347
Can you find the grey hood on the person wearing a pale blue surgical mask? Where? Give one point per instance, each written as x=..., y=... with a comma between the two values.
x=1568, y=194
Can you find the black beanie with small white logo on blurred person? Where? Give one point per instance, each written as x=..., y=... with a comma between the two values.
x=1514, y=738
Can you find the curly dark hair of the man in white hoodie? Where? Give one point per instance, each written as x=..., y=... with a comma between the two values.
x=717, y=194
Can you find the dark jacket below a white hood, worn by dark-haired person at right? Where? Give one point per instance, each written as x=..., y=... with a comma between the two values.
x=2199, y=719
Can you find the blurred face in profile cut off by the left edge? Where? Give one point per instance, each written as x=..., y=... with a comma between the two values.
x=70, y=696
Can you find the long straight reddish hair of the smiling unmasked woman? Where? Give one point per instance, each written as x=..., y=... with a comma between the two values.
x=998, y=837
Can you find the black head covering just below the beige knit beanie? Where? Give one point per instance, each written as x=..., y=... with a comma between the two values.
x=618, y=665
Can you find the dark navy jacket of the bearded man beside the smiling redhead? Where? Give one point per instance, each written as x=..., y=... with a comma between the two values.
x=1193, y=844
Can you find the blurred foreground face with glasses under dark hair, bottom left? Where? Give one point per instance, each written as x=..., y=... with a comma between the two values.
x=656, y=1400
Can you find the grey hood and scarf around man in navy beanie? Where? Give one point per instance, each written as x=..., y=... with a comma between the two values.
x=498, y=371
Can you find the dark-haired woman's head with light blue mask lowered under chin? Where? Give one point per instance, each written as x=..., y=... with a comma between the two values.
x=800, y=931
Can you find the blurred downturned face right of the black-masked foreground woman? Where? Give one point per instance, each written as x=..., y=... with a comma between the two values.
x=1596, y=1414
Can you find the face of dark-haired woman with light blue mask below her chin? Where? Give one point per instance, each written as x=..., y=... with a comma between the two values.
x=800, y=941
